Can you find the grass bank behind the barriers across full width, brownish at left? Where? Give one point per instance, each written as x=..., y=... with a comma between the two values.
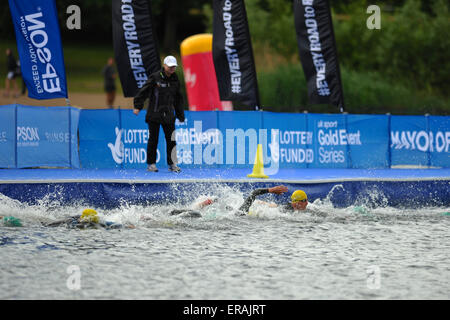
x=282, y=84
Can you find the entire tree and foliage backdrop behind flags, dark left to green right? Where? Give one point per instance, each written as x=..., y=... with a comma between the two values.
x=402, y=68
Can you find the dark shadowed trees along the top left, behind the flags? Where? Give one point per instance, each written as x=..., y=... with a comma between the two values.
x=173, y=21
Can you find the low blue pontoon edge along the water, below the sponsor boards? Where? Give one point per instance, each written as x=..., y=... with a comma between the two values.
x=112, y=188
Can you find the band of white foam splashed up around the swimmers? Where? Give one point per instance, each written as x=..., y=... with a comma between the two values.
x=229, y=199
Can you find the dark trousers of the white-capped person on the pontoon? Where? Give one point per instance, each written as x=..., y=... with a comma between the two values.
x=153, y=129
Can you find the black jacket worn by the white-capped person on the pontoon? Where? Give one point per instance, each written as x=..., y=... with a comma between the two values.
x=166, y=101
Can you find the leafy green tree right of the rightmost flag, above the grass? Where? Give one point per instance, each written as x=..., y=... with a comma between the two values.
x=409, y=48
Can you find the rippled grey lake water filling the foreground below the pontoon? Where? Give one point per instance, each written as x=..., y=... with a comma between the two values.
x=359, y=252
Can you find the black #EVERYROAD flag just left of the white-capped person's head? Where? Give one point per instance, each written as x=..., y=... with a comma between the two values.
x=135, y=45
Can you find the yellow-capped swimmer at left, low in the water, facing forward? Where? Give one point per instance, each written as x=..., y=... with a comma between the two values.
x=88, y=220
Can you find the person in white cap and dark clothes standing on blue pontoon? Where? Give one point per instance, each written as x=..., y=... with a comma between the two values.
x=166, y=103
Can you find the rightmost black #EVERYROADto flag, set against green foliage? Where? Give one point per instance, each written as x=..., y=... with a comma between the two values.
x=318, y=54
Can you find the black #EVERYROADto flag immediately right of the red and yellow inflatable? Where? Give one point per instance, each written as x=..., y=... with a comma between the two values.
x=233, y=53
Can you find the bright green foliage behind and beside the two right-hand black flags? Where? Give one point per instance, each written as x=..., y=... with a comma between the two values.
x=402, y=67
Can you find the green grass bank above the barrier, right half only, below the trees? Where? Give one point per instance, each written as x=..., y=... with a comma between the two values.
x=284, y=90
